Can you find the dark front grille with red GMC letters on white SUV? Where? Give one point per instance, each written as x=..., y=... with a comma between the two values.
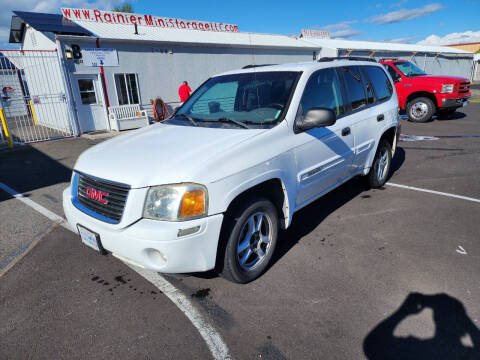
x=115, y=198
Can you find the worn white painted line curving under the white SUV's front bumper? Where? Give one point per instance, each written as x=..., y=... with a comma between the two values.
x=213, y=339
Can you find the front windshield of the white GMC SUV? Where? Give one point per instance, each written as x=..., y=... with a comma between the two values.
x=248, y=100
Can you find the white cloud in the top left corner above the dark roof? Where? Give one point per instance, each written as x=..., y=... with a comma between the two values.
x=46, y=6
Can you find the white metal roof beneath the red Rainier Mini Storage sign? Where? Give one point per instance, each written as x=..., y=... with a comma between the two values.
x=107, y=31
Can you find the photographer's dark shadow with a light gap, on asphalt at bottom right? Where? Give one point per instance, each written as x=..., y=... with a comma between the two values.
x=456, y=336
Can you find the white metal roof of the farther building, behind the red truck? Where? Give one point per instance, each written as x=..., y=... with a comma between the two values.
x=382, y=46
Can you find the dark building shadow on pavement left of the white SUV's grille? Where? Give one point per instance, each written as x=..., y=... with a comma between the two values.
x=28, y=169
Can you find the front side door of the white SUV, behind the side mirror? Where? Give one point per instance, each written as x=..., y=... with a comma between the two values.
x=324, y=155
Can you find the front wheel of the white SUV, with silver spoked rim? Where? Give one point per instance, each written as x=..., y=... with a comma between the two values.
x=250, y=238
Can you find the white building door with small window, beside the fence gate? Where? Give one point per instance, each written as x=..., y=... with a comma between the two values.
x=89, y=101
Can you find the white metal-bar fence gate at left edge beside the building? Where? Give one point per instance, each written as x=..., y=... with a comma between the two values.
x=33, y=97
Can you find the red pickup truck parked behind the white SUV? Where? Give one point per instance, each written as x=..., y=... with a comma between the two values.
x=422, y=95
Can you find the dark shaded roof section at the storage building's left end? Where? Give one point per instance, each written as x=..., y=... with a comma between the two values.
x=42, y=22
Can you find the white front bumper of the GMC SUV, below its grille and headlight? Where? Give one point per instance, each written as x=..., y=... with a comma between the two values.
x=152, y=244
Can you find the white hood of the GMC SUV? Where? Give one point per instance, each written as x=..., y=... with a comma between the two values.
x=159, y=154
